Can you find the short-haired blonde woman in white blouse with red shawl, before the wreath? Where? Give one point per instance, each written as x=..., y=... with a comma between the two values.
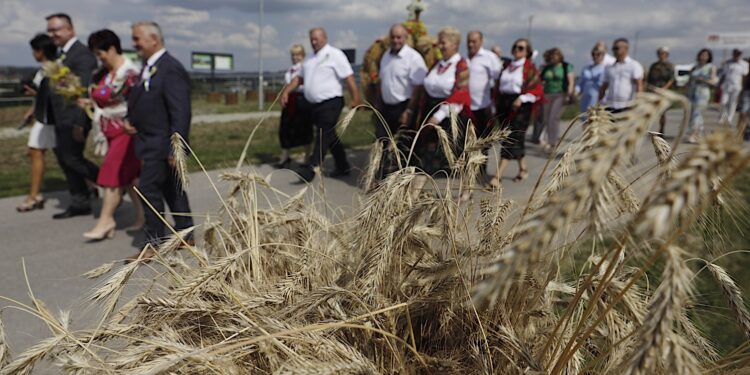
x=447, y=89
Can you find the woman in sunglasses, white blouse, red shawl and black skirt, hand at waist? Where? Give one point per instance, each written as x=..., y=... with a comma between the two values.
x=519, y=86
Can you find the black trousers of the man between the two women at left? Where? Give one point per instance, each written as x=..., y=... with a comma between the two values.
x=75, y=166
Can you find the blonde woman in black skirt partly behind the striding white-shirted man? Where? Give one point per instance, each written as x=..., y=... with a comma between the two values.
x=295, y=128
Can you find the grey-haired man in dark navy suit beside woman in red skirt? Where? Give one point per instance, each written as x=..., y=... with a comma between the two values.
x=157, y=108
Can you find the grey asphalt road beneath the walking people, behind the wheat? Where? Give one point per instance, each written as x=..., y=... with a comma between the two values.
x=55, y=253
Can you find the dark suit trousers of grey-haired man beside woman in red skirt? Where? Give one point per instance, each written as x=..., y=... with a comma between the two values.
x=159, y=183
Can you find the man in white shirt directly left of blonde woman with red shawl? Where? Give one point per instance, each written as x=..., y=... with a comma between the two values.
x=402, y=71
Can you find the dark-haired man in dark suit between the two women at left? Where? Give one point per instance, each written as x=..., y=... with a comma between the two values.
x=72, y=124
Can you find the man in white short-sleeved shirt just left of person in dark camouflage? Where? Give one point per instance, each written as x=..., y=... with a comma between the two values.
x=622, y=80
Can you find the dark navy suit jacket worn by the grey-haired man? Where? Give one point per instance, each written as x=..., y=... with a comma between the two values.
x=162, y=110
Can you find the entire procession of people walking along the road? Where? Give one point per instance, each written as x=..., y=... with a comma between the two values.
x=135, y=111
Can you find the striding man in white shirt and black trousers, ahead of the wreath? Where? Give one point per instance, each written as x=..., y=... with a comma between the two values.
x=322, y=73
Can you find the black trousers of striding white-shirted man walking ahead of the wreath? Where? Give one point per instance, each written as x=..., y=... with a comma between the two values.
x=325, y=115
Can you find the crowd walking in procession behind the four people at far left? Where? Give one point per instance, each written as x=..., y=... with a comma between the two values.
x=490, y=90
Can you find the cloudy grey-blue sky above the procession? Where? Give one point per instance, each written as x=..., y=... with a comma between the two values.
x=232, y=26
